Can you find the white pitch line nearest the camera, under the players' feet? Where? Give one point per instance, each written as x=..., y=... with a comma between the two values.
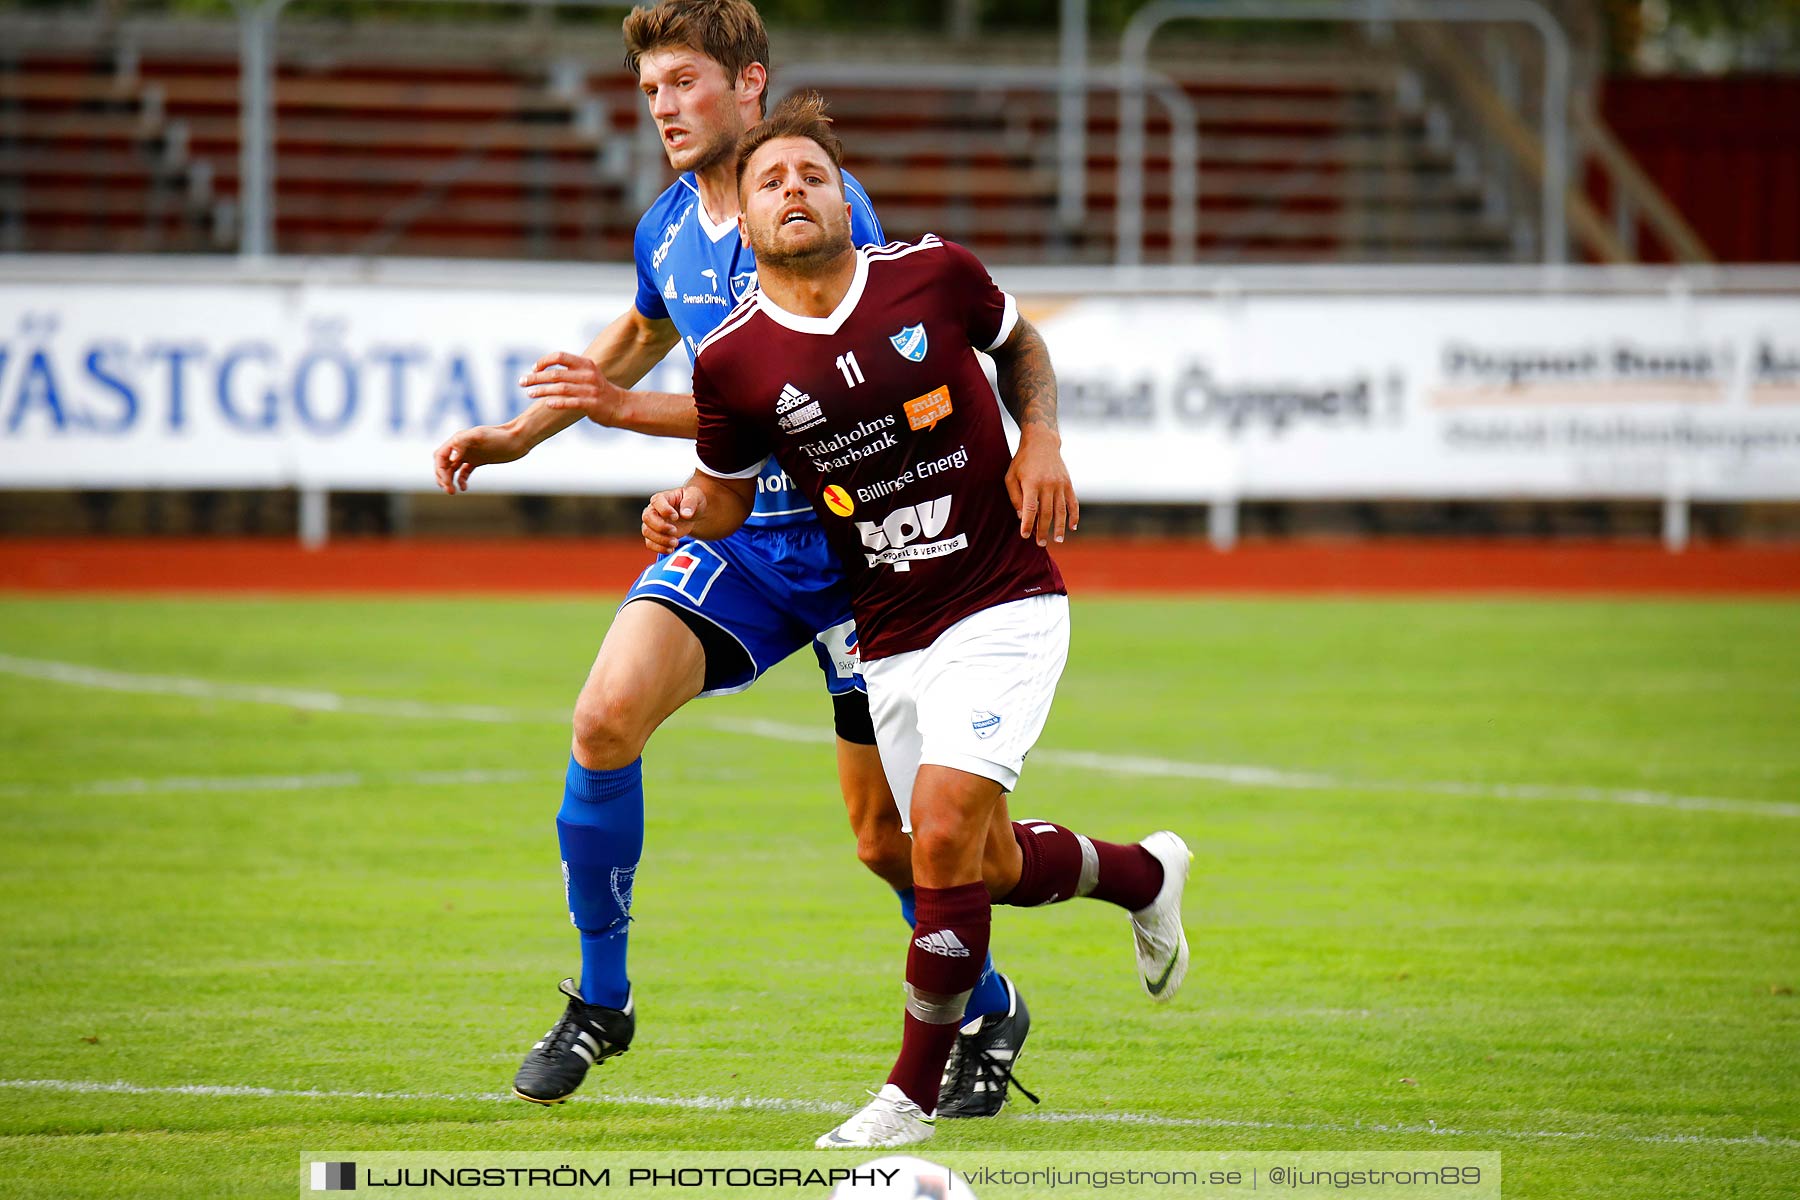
x=768, y=1104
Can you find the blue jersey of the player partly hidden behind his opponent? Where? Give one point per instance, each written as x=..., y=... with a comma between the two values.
x=694, y=273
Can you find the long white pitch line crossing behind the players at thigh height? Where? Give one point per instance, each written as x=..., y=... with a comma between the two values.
x=1236, y=775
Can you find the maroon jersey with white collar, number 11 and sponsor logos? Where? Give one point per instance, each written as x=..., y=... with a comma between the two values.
x=885, y=420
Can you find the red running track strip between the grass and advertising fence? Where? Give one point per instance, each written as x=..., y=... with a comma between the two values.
x=535, y=568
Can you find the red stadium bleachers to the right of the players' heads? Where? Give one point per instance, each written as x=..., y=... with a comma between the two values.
x=1311, y=156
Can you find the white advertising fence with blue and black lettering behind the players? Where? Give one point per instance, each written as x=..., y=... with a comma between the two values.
x=1176, y=388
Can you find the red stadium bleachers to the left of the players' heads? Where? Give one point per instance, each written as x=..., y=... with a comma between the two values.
x=372, y=161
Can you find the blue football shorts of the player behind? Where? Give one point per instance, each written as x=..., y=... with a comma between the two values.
x=773, y=591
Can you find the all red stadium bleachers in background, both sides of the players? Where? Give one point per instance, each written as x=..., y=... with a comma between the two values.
x=1315, y=154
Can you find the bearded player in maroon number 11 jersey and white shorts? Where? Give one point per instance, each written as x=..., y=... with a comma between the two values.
x=858, y=372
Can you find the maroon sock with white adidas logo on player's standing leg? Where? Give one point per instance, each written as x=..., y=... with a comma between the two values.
x=942, y=967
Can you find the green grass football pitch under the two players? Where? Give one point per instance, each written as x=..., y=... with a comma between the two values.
x=1538, y=895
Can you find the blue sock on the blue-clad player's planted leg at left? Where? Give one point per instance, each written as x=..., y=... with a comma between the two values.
x=602, y=834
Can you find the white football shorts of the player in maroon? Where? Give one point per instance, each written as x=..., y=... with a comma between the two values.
x=975, y=701
